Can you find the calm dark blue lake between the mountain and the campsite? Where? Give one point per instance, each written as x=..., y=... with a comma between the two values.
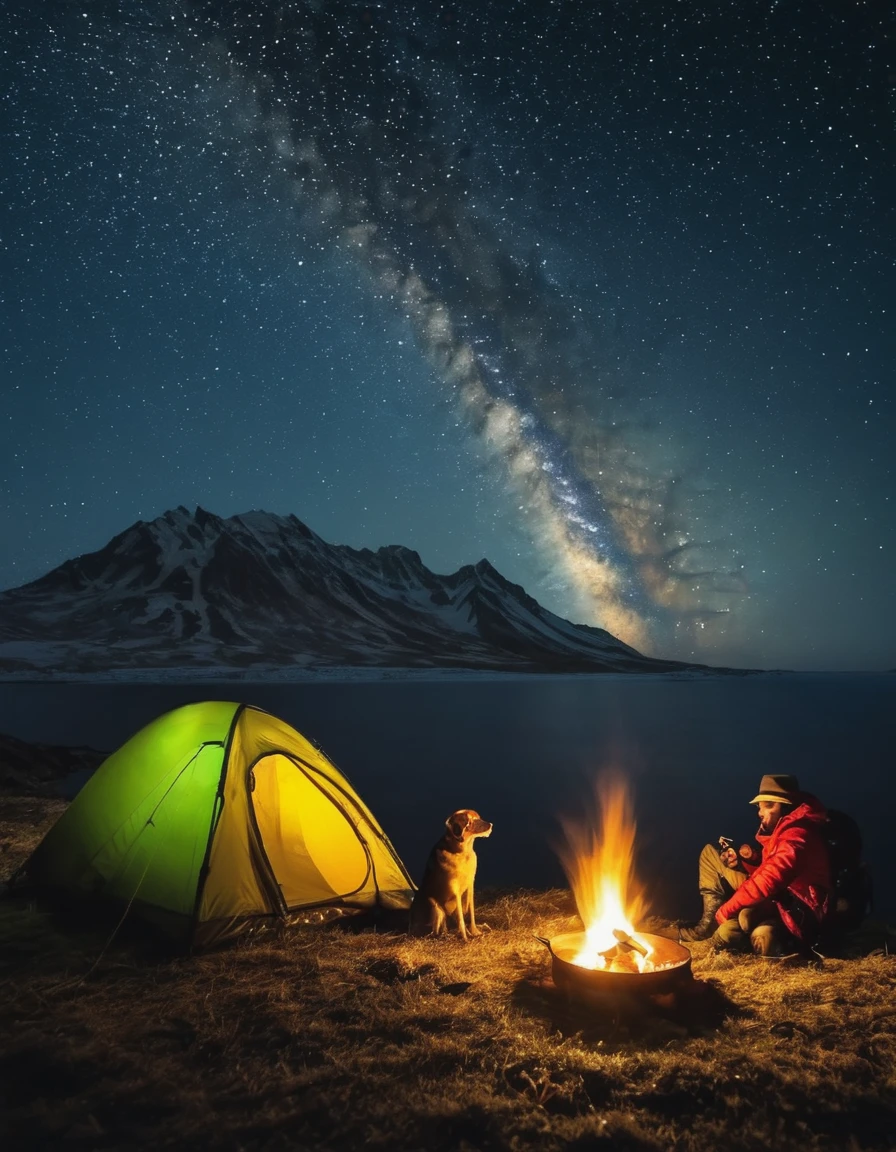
x=523, y=753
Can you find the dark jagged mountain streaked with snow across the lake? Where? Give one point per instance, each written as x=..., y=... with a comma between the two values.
x=257, y=590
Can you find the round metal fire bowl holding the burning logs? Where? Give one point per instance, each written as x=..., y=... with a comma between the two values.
x=574, y=979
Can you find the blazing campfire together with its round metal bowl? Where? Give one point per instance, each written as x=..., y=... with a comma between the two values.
x=598, y=858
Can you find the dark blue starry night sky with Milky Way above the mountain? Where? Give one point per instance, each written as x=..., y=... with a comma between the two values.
x=603, y=292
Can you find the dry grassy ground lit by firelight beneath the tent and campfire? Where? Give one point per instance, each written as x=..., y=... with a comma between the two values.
x=330, y=1039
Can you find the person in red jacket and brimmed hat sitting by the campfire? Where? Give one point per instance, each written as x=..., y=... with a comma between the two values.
x=779, y=901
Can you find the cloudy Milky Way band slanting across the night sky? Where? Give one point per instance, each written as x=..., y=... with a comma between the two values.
x=366, y=111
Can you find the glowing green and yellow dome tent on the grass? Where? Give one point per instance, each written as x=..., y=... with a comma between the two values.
x=215, y=818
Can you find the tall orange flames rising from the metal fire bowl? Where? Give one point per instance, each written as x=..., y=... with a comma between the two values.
x=599, y=861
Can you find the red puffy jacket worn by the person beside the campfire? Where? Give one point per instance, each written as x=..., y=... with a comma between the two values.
x=795, y=871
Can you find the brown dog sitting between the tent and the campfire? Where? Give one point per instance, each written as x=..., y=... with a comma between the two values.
x=447, y=885
